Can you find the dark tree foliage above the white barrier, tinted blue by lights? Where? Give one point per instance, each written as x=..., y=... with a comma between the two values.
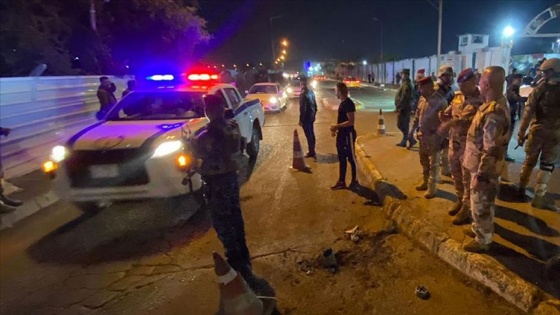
x=58, y=33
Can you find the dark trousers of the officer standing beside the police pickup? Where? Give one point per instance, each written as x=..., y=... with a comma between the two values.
x=227, y=219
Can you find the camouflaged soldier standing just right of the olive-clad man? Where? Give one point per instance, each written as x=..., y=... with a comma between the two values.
x=426, y=118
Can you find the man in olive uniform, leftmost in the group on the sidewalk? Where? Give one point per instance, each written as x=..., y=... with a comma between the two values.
x=403, y=102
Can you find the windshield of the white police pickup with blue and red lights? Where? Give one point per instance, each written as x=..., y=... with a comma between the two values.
x=159, y=105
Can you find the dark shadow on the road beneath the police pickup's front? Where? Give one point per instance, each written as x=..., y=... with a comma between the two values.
x=121, y=234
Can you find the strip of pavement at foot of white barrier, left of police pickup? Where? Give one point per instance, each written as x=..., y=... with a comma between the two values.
x=34, y=190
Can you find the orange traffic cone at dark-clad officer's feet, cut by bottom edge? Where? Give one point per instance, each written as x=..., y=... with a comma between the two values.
x=236, y=298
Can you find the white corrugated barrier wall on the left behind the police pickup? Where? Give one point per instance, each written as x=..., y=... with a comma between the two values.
x=43, y=112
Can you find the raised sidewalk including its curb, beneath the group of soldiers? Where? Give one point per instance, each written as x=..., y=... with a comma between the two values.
x=525, y=237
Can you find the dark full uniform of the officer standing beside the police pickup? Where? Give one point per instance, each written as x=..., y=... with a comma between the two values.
x=217, y=147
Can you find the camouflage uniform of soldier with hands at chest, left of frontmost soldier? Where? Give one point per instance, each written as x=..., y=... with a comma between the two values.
x=461, y=113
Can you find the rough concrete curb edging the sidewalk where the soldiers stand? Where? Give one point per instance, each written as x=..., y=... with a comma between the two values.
x=481, y=268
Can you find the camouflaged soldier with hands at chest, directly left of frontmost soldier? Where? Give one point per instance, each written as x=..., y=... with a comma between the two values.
x=456, y=120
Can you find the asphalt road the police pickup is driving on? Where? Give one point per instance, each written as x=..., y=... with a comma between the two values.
x=144, y=258
